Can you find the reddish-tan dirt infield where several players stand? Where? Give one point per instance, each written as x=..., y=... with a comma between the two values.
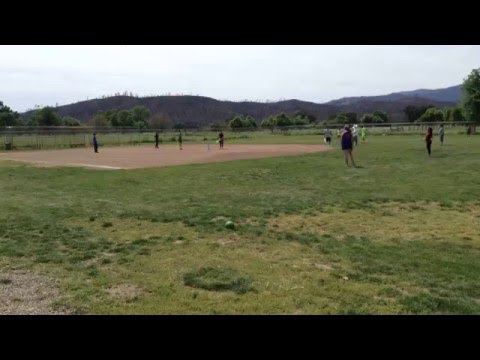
x=135, y=157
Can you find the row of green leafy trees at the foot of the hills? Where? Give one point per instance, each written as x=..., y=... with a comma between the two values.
x=141, y=117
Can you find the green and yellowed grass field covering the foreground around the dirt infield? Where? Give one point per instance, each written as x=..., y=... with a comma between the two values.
x=399, y=235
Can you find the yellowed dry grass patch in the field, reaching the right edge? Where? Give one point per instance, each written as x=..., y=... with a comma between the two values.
x=411, y=222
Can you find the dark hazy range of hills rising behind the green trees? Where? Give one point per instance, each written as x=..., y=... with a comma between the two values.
x=203, y=110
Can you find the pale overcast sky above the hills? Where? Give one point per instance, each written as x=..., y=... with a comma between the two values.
x=49, y=75
